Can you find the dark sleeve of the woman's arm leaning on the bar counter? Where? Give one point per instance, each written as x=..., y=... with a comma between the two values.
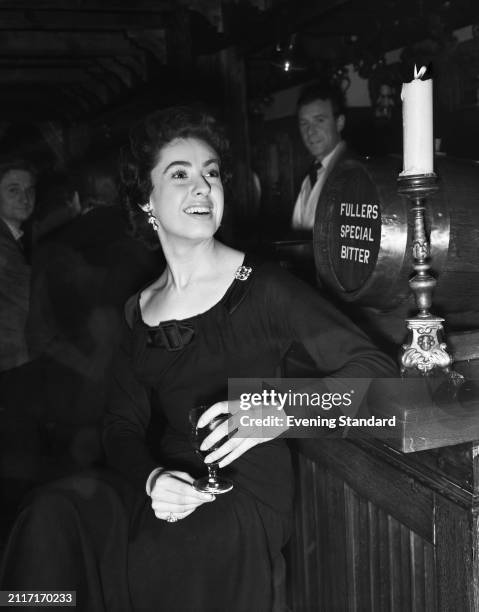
x=343, y=355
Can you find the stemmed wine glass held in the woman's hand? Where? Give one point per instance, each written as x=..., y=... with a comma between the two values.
x=211, y=483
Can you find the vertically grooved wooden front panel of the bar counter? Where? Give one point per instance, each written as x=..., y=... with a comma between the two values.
x=352, y=554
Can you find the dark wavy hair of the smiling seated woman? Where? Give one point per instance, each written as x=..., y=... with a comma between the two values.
x=147, y=139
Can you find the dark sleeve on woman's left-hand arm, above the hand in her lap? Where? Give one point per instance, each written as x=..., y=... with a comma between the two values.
x=127, y=419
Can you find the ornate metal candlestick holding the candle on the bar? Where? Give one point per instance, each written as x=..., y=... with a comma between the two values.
x=426, y=350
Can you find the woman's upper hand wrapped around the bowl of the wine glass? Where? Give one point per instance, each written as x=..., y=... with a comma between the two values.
x=244, y=429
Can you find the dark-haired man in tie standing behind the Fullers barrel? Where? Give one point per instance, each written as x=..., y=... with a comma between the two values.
x=321, y=118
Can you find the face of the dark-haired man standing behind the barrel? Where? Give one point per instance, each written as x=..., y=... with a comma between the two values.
x=320, y=129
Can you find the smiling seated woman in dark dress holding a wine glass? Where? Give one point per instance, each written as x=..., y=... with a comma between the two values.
x=212, y=314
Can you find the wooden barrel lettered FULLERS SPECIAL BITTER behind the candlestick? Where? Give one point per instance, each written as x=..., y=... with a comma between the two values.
x=363, y=232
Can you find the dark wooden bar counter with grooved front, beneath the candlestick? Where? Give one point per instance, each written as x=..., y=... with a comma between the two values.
x=382, y=527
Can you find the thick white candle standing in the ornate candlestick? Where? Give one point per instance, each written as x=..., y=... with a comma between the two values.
x=418, y=144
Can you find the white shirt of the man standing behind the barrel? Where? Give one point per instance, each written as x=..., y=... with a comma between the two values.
x=305, y=207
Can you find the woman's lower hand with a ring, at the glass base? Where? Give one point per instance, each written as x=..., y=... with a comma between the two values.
x=173, y=495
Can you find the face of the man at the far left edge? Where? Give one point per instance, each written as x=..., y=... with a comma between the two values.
x=17, y=196
